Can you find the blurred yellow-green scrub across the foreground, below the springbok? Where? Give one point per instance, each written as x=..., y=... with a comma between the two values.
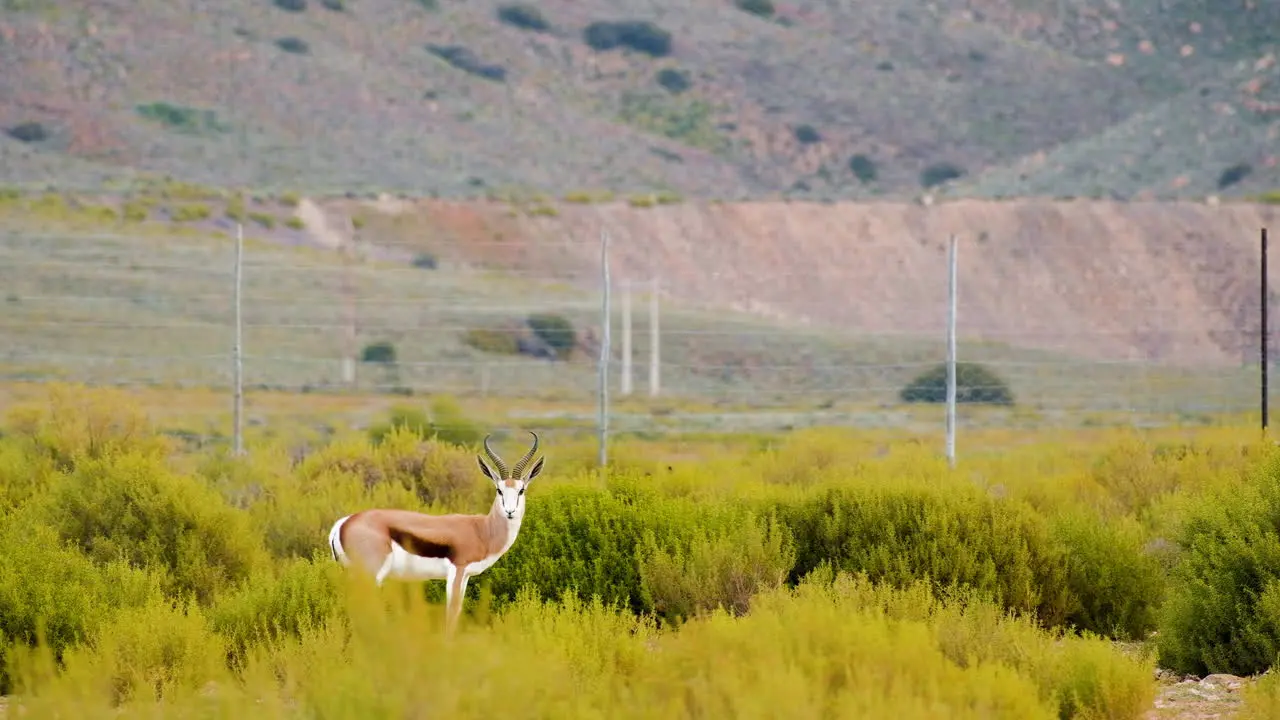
x=834, y=646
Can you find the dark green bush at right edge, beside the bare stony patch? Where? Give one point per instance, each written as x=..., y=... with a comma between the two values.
x=1223, y=614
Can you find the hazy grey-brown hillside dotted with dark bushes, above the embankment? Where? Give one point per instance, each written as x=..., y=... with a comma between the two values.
x=812, y=101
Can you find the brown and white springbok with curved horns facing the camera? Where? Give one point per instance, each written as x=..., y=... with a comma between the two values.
x=413, y=546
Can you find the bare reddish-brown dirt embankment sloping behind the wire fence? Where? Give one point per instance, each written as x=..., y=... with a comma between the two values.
x=1159, y=281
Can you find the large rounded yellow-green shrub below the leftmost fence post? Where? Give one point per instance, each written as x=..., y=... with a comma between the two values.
x=134, y=509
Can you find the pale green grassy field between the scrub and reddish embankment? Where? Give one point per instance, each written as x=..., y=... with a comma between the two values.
x=152, y=303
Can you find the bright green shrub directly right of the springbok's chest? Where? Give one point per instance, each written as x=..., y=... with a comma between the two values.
x=604, y=543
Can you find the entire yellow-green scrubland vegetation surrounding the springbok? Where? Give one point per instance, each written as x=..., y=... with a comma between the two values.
x=820, y=573
